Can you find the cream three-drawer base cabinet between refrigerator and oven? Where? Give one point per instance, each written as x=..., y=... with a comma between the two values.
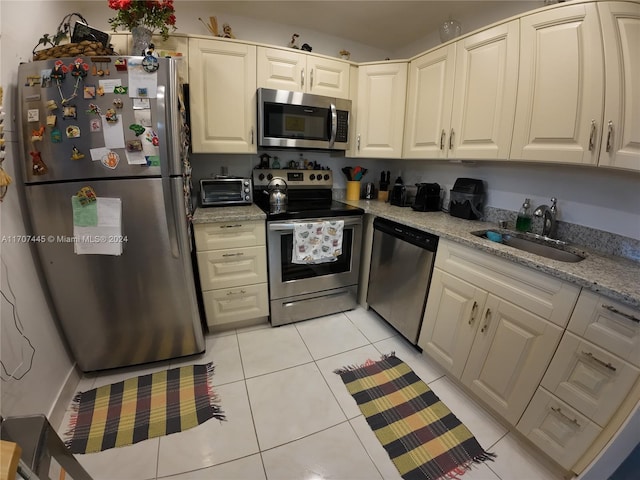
x=232, y=264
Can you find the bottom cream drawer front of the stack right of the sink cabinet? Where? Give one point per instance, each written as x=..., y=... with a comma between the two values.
x=560, y=431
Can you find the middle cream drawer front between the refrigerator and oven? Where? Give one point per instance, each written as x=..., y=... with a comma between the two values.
x=232, y=268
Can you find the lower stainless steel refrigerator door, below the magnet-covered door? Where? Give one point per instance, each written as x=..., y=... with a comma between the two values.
x=121, y=310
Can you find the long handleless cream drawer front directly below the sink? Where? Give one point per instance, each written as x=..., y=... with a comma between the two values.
x=539, y=293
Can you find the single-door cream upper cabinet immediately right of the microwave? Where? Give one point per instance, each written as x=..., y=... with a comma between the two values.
x=379, y=112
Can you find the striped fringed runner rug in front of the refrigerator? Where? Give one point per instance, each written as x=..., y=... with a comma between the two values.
x=142, y=407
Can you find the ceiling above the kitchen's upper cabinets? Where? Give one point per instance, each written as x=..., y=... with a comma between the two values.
x=384, y=24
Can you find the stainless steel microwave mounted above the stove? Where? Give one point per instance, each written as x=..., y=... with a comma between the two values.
x=302, y=120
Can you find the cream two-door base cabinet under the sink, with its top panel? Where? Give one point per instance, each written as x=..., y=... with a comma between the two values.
x=497, y=329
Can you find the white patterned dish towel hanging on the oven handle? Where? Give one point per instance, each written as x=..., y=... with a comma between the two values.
x=317, y=242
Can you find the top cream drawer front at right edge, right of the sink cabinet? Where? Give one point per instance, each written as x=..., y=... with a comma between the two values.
x=610, y=325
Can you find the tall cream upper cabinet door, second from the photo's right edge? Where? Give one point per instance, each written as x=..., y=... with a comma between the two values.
x=561, y=87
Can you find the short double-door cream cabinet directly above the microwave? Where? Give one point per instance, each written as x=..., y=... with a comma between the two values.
x=299, y=72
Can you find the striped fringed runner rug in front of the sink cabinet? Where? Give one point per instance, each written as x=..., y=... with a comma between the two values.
x=421, y=435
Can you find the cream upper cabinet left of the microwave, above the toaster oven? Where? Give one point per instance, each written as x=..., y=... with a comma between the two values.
x=222, y=77
